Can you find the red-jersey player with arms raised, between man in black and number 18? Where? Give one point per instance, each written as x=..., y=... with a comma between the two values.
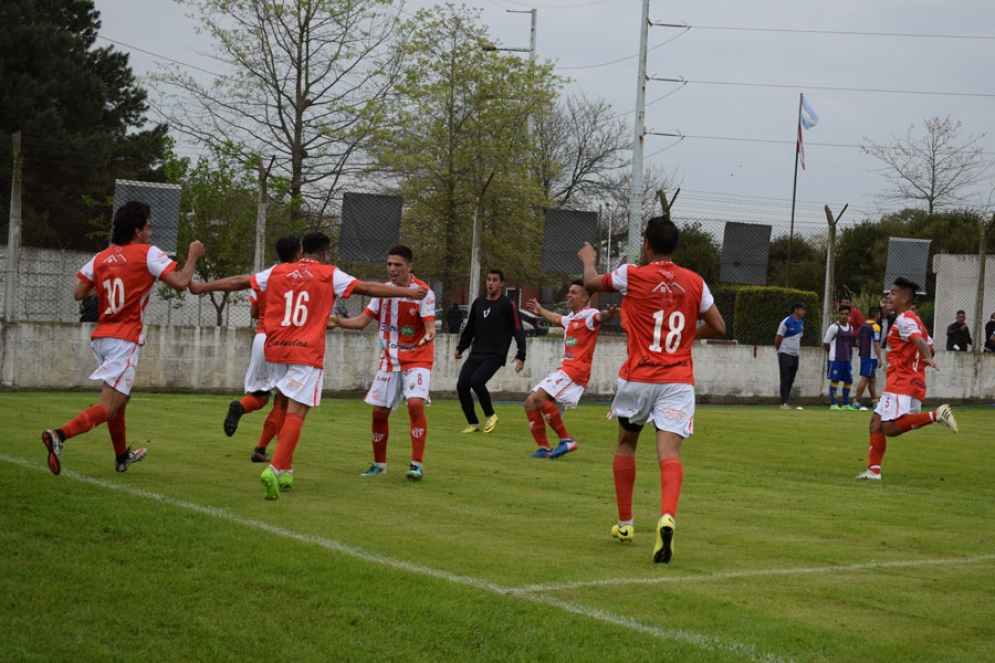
x=563, y=387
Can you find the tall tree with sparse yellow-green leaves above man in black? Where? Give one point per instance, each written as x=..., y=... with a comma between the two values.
x=455, y=137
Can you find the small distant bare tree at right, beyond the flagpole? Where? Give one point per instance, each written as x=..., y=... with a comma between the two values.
x=932, y=167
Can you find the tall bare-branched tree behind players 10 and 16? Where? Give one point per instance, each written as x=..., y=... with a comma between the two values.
x=299, y=75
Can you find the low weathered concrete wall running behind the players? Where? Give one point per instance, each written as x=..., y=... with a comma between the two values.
x=53, y=355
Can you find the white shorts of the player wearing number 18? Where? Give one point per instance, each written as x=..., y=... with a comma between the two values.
x=669, y=407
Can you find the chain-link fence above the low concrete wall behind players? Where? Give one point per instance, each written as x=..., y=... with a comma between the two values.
x=57, y=225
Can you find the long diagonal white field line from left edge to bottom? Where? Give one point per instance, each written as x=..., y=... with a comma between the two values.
x=704, y=642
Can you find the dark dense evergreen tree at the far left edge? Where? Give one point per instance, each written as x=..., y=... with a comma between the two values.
x=79, y=111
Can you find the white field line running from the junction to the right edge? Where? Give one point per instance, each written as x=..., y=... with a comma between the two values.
x=758, y=573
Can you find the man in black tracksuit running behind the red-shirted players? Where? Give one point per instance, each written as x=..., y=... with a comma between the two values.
x=492, y=322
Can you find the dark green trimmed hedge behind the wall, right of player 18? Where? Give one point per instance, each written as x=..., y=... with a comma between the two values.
x=759, y=310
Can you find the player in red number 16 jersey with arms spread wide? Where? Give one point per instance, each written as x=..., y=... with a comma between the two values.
x=300, y=297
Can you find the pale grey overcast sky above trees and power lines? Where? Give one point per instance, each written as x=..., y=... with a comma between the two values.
x=869, y=69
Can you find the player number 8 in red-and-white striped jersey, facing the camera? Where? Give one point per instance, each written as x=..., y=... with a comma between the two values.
x=406, y=329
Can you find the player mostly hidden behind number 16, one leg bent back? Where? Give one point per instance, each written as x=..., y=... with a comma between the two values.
x=258, y=382
